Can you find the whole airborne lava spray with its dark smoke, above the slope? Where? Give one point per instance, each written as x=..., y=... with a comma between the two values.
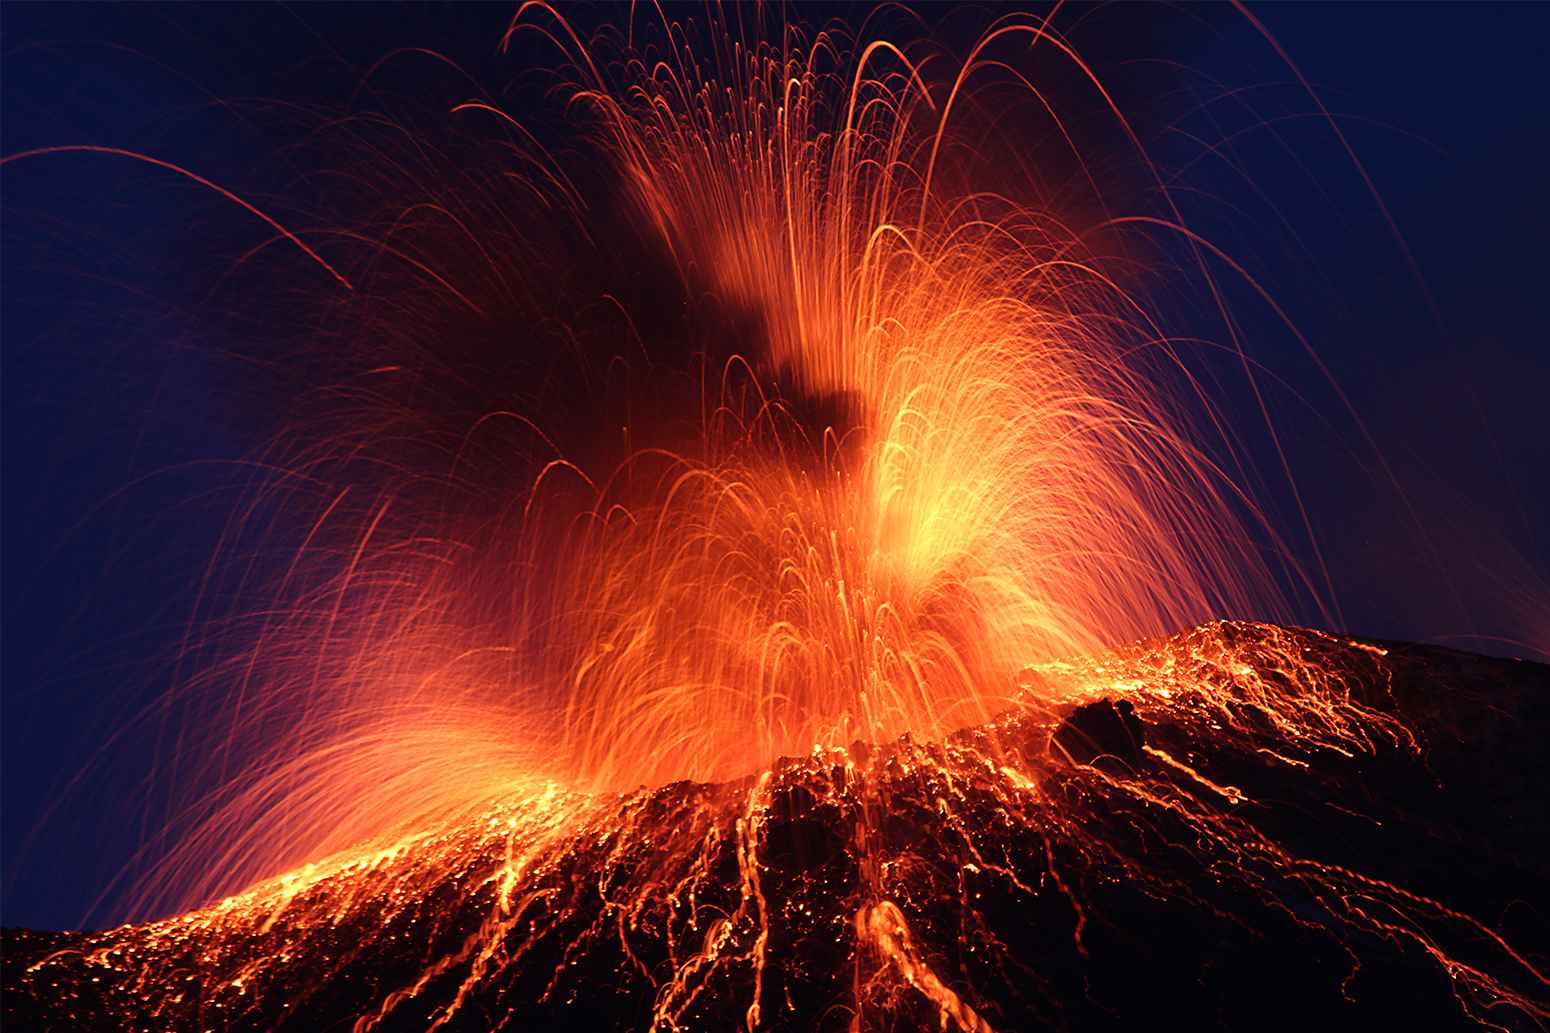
x=897, y=432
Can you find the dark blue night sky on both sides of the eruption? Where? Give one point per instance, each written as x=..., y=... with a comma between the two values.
x=125, y=424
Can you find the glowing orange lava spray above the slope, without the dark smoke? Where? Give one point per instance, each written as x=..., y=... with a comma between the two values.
x=939, y=455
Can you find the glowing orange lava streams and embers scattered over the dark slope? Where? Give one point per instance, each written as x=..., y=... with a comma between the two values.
x=661, y=894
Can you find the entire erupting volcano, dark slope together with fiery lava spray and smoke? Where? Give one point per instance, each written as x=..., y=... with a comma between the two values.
x=742, y=536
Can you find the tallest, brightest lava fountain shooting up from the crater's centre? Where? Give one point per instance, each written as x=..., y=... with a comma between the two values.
x=934, y=461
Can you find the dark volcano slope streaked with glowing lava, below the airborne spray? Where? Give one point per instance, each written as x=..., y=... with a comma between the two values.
x=1239, y=827
